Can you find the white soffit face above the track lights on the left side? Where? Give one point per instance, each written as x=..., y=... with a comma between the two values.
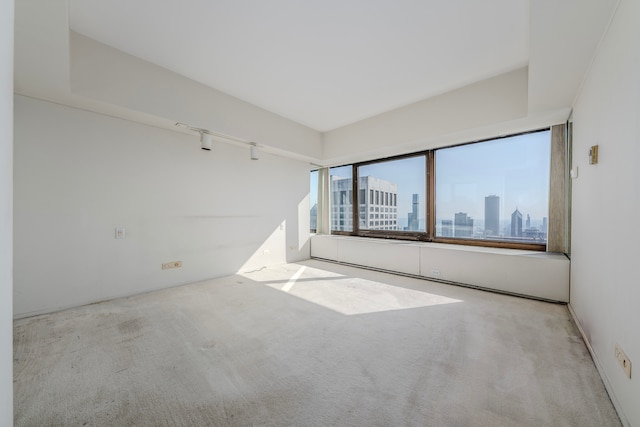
x=102, y=73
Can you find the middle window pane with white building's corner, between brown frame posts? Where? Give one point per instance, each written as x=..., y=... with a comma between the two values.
x=398, y=183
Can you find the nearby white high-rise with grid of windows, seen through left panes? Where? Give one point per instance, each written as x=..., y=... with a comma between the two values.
x=377, y=200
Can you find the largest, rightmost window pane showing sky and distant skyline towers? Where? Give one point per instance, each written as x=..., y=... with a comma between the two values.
x=494, y=190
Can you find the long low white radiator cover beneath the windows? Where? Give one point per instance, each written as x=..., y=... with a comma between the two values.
x=530, y=273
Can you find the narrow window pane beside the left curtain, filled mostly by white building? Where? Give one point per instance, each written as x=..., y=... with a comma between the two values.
x=341, y=205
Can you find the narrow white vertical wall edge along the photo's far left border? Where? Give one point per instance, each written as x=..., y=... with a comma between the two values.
x=6, y=212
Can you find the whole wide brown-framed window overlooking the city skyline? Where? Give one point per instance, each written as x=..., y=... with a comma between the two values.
x=493, y=193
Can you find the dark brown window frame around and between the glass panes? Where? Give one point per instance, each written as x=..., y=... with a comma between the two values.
x=429, y=235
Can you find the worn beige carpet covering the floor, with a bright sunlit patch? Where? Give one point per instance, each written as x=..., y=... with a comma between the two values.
x=308, y=344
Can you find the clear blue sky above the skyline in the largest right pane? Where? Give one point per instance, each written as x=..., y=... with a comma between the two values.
x=516, y=169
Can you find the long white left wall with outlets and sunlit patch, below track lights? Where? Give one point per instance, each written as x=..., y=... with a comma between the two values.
x=78, y=175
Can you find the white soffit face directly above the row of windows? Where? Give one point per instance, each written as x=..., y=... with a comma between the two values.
x=415, y=126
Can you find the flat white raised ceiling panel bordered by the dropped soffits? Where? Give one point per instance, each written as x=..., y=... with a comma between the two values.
x=326, y=63
